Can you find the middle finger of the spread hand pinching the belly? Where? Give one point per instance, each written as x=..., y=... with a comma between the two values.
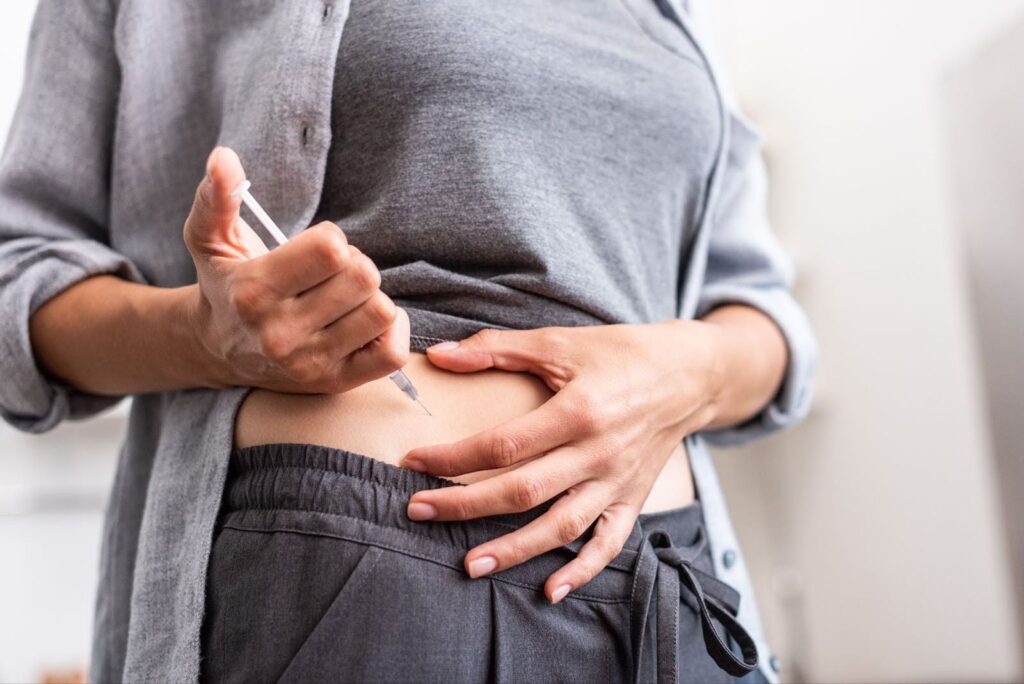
x=514, y=492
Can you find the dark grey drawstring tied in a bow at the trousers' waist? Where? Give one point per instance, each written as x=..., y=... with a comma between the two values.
x=669, y=568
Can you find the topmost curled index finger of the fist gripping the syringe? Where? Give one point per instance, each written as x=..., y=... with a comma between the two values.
x=309, y=260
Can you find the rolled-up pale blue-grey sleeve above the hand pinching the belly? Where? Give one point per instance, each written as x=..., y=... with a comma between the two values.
x=747, y=266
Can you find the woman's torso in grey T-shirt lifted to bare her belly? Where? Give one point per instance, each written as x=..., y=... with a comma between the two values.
x=510, y=165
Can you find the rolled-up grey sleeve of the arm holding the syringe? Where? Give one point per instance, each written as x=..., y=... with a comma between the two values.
x=55, y=198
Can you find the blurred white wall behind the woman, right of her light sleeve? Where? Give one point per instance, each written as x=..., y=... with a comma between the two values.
x=874, y=530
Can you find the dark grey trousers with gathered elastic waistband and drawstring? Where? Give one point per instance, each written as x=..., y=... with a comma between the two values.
x=318, y=575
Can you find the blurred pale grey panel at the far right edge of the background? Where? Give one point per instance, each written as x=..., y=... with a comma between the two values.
x=987, y=108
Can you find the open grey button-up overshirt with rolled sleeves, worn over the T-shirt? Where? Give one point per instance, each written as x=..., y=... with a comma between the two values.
x=122, y=103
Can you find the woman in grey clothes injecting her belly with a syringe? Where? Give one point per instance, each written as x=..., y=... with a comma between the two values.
x=561, y=187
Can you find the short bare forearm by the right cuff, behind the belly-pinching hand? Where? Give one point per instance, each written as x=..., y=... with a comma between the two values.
x=751, y=358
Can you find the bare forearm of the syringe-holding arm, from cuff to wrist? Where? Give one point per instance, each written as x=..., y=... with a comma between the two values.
x=111, y=337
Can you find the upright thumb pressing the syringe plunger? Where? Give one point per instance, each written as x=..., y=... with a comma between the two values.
x=215, y=228
